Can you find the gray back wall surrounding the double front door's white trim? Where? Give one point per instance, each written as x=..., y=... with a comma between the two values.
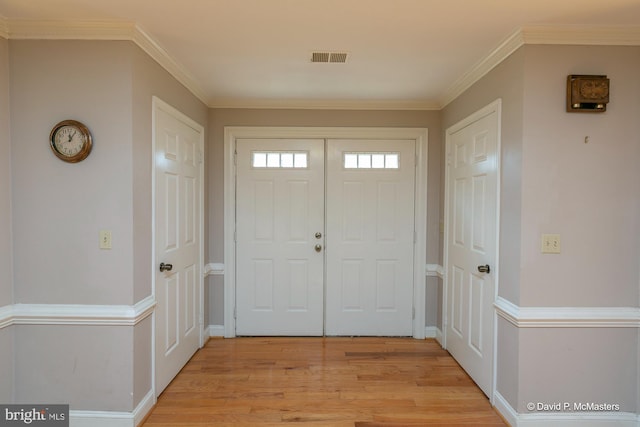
x=219, y=118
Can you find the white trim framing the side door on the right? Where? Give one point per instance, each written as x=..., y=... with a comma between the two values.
x=495, y=106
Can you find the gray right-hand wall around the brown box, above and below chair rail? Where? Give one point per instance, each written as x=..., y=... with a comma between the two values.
x=552, y=182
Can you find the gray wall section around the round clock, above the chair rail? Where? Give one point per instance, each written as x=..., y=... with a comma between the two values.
x=59, y=208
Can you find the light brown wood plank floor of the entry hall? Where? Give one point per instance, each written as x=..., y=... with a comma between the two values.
x=355, y=382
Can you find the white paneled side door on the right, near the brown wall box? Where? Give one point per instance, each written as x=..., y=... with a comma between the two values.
x=471, y=236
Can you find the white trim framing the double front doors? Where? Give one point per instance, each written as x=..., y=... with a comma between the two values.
x=420, y=135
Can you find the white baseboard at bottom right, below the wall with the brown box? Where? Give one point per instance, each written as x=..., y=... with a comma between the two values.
x=563, y=419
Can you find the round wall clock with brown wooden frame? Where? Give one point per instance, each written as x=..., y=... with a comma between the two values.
x=70, y=141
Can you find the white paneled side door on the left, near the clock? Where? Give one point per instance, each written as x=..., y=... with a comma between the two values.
x=177, y=142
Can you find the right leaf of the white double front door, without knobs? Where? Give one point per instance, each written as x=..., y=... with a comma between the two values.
x=370, y=237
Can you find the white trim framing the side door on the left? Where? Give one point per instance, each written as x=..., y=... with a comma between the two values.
x=158, y=104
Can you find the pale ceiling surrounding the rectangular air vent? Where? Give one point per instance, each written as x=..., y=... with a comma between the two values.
x=402, y=53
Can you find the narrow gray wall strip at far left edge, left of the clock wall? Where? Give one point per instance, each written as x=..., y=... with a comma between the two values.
x=6, y=265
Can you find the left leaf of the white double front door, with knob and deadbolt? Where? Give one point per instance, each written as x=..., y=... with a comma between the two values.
x=280, y=237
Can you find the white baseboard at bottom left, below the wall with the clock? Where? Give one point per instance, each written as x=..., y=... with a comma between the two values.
x=113, y=419
